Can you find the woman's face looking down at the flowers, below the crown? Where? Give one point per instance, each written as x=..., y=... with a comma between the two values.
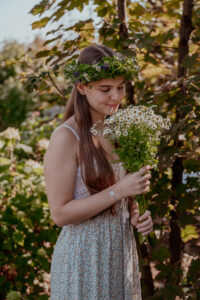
x=104, y=96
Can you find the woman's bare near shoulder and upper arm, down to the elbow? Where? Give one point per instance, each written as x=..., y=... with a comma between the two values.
x=60, y=169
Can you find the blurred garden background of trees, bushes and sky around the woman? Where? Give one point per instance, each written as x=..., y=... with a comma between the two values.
x=37, y=38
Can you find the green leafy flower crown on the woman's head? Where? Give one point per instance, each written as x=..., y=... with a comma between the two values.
x=108, y=67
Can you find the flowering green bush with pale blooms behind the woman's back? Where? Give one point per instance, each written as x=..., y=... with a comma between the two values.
x=27, y=234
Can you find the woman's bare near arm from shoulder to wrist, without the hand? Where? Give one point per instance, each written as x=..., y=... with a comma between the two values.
x=60, y=168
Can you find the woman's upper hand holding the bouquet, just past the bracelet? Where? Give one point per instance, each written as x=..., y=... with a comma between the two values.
x=135, y=183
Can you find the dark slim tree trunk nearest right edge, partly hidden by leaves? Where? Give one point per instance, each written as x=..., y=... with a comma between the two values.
x=175, y=241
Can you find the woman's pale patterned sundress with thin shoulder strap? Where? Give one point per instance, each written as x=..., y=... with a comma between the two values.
x=97, y=258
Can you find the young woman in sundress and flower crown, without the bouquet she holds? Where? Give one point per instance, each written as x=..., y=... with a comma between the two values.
x=95, y=256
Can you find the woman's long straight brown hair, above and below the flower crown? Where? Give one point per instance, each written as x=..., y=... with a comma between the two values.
x=102, y=176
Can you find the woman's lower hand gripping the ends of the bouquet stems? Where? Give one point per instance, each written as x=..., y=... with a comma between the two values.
x=144, y=223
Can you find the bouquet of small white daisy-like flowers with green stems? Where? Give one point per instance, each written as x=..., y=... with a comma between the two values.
x=137, y=132
